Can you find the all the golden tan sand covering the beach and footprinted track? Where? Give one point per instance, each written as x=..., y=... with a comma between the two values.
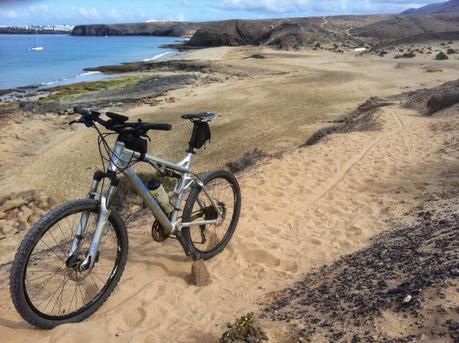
x=300, y=211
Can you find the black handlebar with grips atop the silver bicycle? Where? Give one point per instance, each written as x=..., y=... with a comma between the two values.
x=117, y=123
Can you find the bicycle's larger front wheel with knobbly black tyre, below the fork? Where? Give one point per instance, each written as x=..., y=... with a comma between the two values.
x=49, y=290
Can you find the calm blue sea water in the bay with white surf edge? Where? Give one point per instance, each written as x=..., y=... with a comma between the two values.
x=64, y=57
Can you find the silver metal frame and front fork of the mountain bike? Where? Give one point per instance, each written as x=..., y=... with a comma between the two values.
x=119, y=161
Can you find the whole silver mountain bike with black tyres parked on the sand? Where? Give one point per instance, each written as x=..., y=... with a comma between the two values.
x=71, y=260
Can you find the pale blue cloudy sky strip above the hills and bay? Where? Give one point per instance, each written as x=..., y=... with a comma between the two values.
x=105, y=11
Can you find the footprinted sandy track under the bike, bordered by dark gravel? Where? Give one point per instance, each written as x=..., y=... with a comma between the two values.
x=299, y=212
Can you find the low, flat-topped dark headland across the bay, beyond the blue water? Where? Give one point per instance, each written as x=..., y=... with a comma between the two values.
x=172, y=28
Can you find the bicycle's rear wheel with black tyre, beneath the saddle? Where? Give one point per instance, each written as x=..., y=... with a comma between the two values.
x=206, y=241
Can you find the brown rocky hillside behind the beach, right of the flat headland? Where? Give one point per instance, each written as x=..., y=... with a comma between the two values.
x=342, y=30
